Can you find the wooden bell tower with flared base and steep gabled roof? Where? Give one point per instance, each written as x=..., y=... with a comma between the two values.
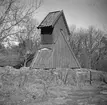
x=55, y=51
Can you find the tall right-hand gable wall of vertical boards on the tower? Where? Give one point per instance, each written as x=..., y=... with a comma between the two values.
x=62, y=56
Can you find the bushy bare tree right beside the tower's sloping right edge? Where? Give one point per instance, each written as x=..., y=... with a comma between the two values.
x=85, y=44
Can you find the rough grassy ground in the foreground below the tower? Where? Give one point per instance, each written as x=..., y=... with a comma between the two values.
x=39, y=87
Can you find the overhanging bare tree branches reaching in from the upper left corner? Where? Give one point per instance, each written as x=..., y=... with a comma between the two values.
x=13, y=14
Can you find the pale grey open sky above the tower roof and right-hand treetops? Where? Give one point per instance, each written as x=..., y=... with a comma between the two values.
x=81, y=13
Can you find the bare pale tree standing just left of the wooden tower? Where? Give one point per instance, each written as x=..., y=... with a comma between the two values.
x=28, y=40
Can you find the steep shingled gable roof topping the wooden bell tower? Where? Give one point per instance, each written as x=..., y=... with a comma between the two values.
x=51, y=19
